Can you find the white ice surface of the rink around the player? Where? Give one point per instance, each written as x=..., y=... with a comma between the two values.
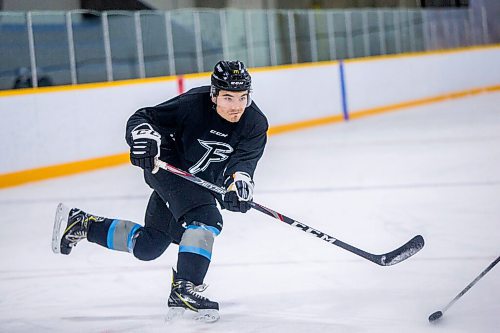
x=374, y=183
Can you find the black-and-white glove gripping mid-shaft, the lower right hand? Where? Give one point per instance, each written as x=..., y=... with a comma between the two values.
x=239, y=192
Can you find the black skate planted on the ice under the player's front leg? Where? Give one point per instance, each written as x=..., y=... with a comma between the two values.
x=184, y=296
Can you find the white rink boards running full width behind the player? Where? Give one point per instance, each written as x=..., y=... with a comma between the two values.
x=49, y=128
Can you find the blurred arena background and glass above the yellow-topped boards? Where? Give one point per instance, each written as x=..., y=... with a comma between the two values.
x=59, y=42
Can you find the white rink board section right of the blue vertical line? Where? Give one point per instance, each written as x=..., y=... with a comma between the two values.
x=371, y=84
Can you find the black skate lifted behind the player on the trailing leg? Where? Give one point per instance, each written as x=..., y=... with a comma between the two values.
x=70, y=227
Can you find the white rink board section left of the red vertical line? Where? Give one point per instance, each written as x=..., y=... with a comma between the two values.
x=52, y=128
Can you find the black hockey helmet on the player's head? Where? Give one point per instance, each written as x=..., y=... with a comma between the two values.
x=230, y=75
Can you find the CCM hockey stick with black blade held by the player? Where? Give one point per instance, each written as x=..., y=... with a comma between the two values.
x=387, y=259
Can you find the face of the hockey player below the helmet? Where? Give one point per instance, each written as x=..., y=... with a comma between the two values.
x=231, y=104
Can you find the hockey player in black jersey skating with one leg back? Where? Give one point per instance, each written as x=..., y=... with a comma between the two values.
x=216, y=132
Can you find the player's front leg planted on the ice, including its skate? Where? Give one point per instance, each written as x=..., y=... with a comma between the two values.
x=198, y=222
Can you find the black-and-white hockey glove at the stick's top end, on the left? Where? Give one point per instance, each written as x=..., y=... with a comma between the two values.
x=145, y=148
